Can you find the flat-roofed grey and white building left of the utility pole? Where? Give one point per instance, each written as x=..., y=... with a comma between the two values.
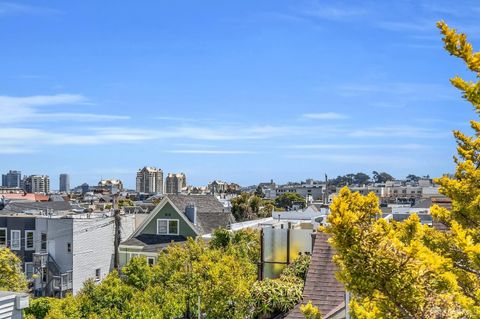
x=61, y=247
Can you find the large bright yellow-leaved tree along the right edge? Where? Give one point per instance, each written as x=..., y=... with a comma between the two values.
x=406, y=269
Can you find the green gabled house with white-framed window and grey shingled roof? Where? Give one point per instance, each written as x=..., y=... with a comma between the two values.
x=174, y=219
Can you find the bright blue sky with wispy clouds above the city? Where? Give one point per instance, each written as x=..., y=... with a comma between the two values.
x=242, y=91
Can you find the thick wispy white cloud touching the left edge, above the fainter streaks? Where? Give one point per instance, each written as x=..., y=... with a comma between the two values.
x=32, y=109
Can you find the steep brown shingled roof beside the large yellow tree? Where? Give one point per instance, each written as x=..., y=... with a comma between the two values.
x=321, y=286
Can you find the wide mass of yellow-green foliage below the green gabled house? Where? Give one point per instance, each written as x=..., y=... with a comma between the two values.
x=221, y=276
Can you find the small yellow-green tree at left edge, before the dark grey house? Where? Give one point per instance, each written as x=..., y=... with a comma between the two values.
x=12, y=277
